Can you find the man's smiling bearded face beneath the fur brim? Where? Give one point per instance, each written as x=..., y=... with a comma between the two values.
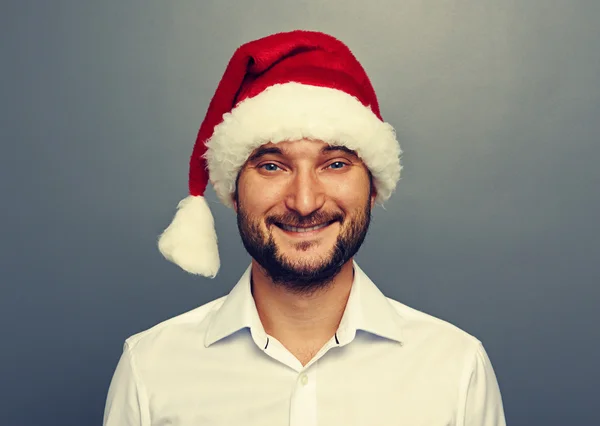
x=303, y=210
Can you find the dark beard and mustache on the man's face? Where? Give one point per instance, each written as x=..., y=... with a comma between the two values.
x=302, y=279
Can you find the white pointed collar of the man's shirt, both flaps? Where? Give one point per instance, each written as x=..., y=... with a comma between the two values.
x=367, y=309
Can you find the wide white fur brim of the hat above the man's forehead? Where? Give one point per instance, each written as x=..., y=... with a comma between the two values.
x=294, y=111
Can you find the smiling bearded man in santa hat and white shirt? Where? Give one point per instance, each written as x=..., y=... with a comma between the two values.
x=294, y=142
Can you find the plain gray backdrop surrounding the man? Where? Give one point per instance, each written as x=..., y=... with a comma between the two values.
x=493, y=226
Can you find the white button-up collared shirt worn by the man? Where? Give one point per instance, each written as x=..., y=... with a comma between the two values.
x=387, y=364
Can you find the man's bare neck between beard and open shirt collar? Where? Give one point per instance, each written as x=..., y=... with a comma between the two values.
x=294, y=318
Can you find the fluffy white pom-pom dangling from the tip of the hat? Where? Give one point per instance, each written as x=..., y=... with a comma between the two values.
x=190, y=241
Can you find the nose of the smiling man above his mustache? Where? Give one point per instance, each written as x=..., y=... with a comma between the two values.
x=305, y=193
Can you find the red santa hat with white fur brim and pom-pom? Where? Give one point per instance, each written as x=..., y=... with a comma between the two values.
x=287, y=86
